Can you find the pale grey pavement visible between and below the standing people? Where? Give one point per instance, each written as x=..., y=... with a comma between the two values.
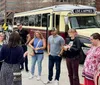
x=63, y=78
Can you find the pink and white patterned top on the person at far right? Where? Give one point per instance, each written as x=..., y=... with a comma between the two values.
x=91, y=62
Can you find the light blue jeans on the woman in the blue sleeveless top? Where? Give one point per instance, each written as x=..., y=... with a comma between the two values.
x=38, y=58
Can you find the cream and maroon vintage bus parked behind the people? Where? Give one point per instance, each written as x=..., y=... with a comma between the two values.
x=63, y=17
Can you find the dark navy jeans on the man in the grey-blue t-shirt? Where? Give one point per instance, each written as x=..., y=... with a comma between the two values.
x=57, y=61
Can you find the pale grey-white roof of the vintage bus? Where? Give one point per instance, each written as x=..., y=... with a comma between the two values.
x=63, y=7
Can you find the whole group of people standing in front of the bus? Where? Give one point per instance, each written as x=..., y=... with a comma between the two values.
x=15, y=52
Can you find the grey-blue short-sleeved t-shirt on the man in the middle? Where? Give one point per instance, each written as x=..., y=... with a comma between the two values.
x=55, y=44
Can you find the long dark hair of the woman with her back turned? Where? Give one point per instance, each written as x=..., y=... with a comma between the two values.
x=14, y=39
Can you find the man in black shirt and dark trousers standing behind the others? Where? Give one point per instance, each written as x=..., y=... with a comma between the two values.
x=24, y=41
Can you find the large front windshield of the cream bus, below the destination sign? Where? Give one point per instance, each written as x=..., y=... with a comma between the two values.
x=83, y=22
